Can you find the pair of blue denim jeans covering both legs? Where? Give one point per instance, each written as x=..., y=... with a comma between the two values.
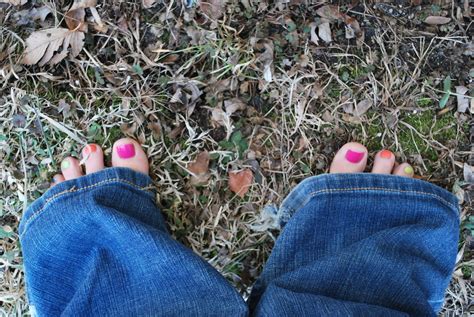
x=352, y=245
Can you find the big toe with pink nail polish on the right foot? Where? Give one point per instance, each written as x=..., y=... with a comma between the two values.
x=351, y=158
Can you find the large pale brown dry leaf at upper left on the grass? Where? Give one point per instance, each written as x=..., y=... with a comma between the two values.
x=42, y=45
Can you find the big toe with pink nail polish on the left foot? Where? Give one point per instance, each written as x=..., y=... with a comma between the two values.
x=128, y=153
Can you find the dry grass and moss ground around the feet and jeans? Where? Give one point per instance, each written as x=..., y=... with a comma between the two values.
x=290, y=128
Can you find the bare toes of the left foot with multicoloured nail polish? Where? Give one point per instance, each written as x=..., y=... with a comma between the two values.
x=126, y=153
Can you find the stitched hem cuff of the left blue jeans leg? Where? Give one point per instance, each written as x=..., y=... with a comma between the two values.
x=124, y=177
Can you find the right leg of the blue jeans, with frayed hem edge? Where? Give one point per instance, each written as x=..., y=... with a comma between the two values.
x=360, y=245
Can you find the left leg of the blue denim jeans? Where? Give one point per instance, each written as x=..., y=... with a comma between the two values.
x=98, y=246
